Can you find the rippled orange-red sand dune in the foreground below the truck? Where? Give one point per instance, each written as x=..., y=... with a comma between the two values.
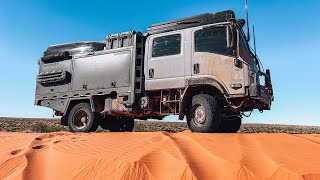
x=159, y=155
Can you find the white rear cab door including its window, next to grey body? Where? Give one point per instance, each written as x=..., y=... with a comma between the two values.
x=165, y=62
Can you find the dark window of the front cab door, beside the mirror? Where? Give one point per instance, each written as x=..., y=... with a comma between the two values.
x=212, y=40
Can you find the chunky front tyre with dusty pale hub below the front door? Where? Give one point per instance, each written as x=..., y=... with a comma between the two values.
x=203, y=115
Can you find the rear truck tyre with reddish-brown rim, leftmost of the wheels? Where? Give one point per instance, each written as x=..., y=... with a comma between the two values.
x=82, y=119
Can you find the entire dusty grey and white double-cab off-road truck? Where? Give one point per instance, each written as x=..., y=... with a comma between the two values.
x=199, y=67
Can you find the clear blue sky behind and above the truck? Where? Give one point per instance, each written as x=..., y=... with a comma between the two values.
x=287, y=32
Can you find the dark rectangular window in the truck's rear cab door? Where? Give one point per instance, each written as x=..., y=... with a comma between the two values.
x=166, y=45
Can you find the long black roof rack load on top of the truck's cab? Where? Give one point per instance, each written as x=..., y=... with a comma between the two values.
x=199, y=20
